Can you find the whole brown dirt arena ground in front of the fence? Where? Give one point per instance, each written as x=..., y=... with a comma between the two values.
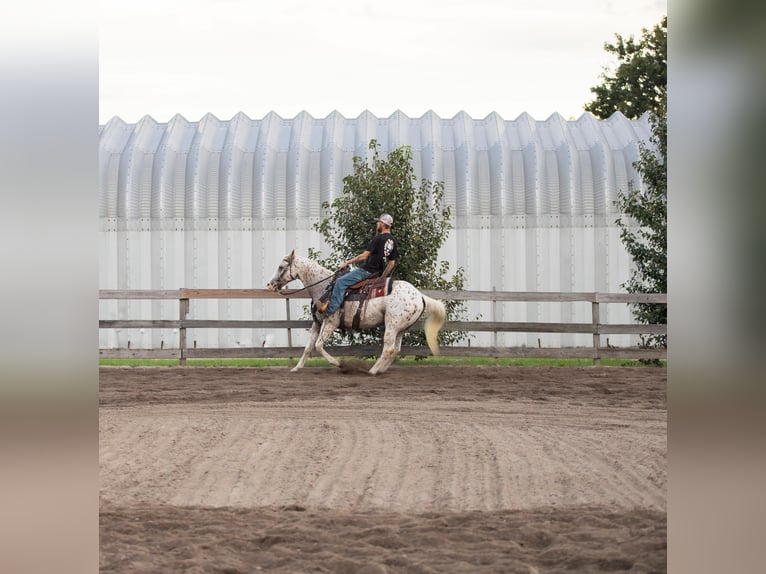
x=421, y=469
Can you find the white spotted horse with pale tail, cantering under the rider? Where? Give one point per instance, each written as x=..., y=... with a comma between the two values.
x=397, y=311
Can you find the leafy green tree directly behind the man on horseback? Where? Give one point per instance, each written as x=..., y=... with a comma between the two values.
x=421, y=226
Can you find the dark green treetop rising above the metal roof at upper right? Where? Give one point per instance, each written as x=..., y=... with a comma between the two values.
x=639, y=84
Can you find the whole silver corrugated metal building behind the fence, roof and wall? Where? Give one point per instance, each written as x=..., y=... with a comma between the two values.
x=217, y=203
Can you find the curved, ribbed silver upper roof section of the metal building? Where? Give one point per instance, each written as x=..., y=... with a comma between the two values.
x=276, y=167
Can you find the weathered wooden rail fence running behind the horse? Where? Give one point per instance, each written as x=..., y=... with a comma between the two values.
x=185, y=296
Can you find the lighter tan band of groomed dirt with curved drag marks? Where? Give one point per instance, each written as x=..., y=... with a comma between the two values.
x=370, y=455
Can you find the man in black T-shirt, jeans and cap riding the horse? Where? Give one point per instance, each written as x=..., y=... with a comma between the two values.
x=379, y=257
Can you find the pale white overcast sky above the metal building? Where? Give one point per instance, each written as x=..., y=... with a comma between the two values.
x=193, y=57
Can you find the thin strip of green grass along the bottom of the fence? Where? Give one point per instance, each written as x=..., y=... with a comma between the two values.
x=320, y=362
